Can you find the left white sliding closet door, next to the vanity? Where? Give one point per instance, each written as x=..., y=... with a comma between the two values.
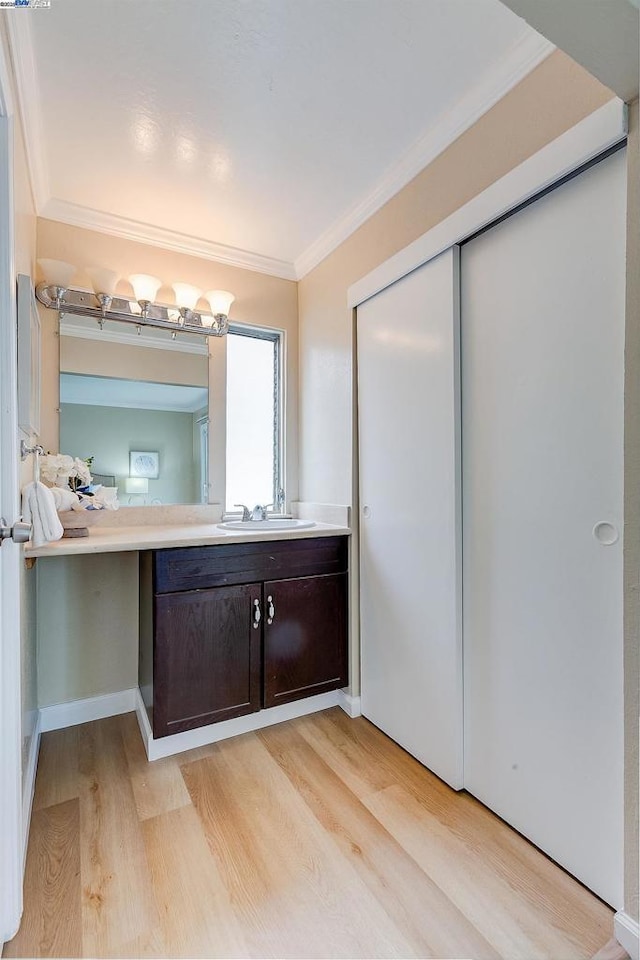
x=408, y=388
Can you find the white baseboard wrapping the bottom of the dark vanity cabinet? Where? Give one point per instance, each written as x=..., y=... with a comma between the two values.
x=202, y=736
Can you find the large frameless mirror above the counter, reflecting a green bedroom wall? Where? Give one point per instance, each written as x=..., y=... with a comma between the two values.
x=123, y=394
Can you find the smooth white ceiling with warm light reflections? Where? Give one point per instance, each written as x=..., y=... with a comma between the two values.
x=260, y=132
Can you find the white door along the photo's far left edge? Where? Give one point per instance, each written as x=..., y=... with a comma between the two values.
x=11, y=827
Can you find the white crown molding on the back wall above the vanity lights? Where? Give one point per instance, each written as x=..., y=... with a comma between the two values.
x=117, y=226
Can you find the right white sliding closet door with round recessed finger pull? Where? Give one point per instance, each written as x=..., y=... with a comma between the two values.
x=542, y=436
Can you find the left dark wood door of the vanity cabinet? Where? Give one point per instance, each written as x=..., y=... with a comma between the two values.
x=206, y=657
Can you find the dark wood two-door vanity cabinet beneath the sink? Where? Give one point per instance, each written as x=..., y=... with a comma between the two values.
x=227, y=630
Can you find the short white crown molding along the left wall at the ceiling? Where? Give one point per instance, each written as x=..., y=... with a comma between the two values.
x=27, y=91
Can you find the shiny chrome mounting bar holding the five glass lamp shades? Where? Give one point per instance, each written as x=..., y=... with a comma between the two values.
x=85, y=304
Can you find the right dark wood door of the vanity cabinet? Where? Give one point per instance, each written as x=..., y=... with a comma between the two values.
x=305, y=637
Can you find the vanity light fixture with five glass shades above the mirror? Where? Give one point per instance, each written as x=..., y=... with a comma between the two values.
x=103, y=304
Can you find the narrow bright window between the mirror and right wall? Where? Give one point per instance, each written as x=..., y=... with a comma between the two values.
x=253, y=419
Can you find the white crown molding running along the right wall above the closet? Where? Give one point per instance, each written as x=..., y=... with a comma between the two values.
x=522, y=57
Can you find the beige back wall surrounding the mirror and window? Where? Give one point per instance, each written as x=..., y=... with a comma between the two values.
x=260, y=300
